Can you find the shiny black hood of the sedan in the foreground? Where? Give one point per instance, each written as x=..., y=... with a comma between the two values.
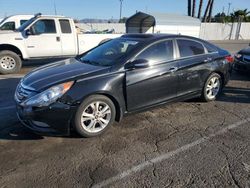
x=59, y=72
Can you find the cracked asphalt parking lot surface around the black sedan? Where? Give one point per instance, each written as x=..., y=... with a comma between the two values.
x=186, y=144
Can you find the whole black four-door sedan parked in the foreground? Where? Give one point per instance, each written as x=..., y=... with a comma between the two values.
x=122, y=76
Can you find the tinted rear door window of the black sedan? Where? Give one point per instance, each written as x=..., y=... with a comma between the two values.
x=189, y=48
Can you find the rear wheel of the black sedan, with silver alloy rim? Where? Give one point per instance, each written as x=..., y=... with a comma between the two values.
x=212, y=88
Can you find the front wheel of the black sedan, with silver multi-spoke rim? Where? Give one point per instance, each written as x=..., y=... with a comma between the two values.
x=88, y=122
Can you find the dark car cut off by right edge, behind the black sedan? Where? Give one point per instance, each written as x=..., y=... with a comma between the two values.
x=242, y=60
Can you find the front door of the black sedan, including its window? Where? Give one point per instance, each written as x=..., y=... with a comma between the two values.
x=155, y=83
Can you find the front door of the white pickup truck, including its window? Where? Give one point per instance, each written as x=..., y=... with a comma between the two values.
x=43, y=39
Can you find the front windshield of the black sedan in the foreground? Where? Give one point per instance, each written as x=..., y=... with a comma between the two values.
x=110, y=52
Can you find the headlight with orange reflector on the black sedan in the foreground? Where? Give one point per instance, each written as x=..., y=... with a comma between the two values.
x=48, y=96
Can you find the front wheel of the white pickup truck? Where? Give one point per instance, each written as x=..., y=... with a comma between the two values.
x=10, y=62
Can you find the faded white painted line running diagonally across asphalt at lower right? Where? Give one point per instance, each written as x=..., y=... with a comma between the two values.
x=168, y=155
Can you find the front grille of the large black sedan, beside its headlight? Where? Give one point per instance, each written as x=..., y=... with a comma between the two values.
x=23, y=92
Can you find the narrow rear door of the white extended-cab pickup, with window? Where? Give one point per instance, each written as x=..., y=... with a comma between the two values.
x=68, y=38
